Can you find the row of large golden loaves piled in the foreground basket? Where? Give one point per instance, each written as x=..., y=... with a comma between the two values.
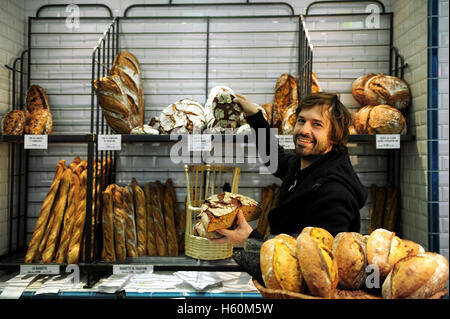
x=317, y=264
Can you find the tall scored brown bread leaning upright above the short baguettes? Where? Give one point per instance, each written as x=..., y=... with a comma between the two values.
x=121, y=94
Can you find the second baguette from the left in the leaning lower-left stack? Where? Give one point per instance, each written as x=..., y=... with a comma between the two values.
x=59, y=210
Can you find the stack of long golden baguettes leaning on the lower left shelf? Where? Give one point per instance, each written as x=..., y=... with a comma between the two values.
x=59, y=231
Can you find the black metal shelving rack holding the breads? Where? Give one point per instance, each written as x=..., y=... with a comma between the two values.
x=102, y=57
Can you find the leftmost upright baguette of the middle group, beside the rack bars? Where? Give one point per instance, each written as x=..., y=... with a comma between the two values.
x=108, y=252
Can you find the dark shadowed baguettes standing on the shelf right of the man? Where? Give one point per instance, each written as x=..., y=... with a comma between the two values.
x=384, y=208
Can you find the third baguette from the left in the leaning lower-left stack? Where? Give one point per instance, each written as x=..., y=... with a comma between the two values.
x=69, y=219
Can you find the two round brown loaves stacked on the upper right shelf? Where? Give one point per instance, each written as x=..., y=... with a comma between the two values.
x=383, y=100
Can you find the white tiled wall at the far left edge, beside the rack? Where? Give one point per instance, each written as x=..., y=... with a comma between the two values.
x=12, y=43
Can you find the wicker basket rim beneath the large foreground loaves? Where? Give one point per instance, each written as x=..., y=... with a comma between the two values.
x=340, y=294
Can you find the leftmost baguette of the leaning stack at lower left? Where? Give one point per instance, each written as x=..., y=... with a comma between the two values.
x=44, y=214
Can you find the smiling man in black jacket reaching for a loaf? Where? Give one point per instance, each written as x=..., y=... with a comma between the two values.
x=319, y=186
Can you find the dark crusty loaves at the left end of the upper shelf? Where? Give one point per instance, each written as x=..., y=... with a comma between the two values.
x=34, y=119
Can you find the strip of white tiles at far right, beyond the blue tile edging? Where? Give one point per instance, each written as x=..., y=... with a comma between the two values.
x=443, y=126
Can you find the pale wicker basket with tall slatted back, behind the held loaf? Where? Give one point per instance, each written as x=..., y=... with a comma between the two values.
x=203, y=181
